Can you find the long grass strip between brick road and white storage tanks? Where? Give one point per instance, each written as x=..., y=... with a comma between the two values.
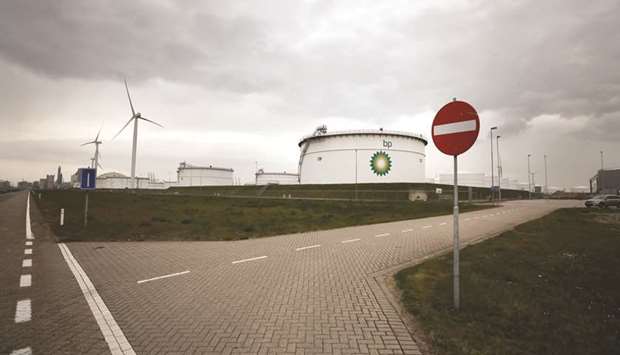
x=128, y=216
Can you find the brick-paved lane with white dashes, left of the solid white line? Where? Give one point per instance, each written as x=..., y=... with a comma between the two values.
x=61, y=322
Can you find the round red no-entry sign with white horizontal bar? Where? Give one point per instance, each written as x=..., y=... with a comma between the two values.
x=455, y=128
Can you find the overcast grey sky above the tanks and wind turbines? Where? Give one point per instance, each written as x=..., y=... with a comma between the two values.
x=234, y=83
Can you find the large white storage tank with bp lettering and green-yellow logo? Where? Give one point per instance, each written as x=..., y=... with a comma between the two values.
x=365, y=156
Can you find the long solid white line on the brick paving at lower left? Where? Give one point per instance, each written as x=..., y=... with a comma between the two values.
x=112, y=333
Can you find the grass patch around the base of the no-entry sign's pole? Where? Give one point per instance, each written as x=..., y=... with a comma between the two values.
x=551, y=286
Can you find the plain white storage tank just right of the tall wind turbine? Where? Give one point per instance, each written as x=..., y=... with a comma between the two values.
x=191, y=175
